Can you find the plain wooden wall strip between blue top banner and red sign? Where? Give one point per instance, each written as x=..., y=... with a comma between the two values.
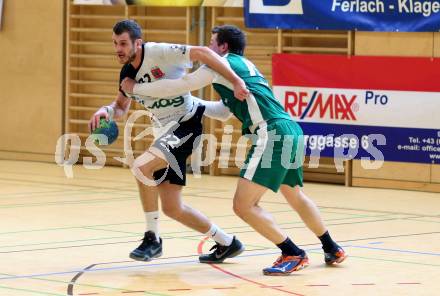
x=393, y=44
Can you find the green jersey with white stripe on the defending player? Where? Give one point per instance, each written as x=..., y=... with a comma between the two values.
x=261, y=106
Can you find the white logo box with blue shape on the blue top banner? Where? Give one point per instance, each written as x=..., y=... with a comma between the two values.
x=276, y=6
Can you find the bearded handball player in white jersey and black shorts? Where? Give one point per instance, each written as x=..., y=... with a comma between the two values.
x=177, y=123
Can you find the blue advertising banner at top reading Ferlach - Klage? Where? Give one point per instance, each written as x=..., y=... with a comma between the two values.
x=362, y=15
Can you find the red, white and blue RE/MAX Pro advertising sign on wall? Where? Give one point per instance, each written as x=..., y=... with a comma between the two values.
x=385, y=108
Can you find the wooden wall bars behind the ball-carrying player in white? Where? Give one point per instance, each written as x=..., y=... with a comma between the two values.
x=92, y=69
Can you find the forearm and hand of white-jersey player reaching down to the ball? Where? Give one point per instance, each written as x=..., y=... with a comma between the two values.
x=115, y=110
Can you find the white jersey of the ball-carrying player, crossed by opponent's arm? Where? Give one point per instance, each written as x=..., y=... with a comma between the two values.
x=162, y=61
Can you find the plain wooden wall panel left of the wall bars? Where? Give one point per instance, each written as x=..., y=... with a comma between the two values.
x=31, y=77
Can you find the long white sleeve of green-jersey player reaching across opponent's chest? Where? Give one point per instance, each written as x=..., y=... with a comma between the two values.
x=174, y=87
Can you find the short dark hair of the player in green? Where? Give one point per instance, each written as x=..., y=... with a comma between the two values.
x=231, y=35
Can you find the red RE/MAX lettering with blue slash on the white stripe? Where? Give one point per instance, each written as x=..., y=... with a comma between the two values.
x=314, y=104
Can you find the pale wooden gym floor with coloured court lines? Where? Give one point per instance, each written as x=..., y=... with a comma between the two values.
x=62, y=236
